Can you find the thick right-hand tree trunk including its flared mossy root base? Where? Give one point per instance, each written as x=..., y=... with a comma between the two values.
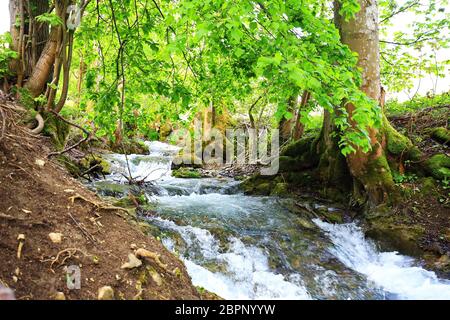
x=372, y=183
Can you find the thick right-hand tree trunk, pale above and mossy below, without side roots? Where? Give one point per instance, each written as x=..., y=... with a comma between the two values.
x=371, y=172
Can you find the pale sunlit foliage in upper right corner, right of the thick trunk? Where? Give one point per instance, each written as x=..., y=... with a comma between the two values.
x=413, y=51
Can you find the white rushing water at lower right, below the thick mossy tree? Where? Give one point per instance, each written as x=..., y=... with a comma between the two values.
x=393, y=272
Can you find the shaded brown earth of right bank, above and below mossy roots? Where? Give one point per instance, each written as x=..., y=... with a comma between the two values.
x=421, y=221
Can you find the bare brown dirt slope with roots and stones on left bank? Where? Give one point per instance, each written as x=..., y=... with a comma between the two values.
x=38, y=197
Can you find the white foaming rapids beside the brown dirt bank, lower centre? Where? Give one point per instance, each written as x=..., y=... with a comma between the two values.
x=248, y=275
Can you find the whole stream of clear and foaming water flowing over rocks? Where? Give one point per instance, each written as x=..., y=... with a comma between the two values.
x=248, y=247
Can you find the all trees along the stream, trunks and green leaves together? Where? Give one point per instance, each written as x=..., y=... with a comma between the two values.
x=147, y=67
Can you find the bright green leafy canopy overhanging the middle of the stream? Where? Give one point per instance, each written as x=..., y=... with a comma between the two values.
x=180, y=57
